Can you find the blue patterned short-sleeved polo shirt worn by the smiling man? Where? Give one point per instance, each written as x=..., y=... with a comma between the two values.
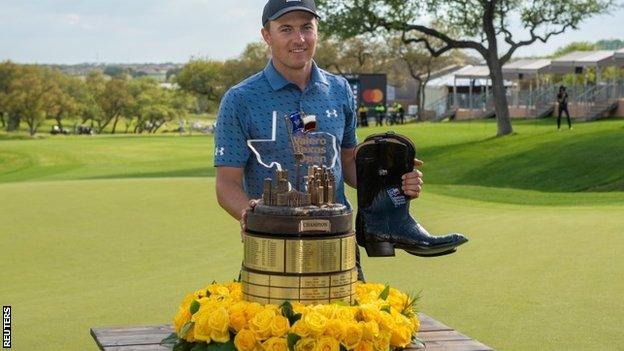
x=247, y=110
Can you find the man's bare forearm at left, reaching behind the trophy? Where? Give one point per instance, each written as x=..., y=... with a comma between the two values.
x=230, y=193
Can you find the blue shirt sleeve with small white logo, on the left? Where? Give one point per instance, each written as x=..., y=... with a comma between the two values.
x=231, y=133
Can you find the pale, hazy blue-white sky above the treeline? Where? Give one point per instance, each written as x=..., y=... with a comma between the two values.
x=137, y=31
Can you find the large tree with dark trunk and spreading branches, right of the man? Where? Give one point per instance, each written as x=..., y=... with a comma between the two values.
x=476, y=24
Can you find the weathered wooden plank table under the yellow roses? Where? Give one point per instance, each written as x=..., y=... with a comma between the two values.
x=437, y=336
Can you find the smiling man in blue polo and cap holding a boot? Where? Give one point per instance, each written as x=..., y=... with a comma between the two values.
x=291, y=82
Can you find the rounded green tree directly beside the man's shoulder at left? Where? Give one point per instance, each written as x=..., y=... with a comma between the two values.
x=202, y=78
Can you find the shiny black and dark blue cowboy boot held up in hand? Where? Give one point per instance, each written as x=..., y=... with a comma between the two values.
x=383, y=222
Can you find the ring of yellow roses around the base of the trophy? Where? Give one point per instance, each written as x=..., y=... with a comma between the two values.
x=216, y=318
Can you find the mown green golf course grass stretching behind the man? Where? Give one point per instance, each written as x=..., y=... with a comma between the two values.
x=115, y=230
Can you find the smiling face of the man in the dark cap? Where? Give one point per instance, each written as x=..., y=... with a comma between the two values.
x=292, y=39
